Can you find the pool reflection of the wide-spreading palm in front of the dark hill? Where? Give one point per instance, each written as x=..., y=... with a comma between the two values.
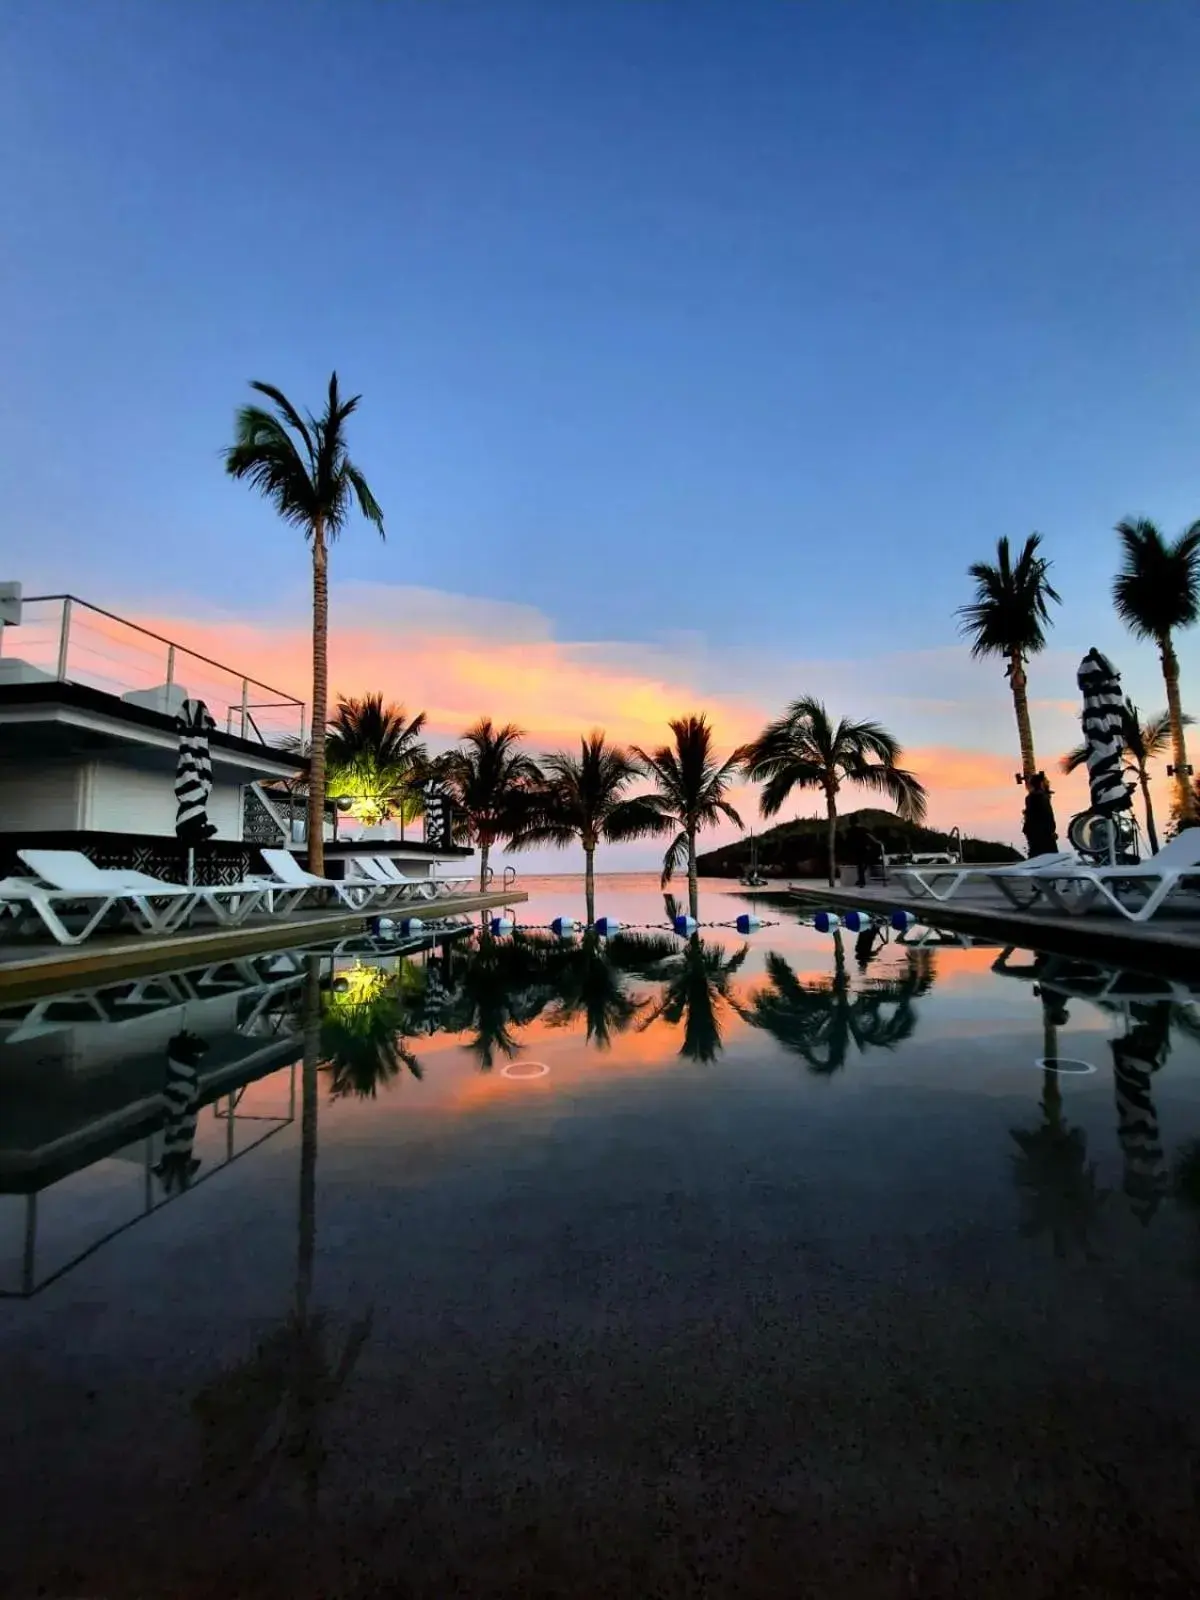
x=820, y=1022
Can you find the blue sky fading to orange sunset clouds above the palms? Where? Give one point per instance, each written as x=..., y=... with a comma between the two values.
x=702, y=346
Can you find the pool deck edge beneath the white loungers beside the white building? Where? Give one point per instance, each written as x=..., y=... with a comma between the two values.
x=36, y=967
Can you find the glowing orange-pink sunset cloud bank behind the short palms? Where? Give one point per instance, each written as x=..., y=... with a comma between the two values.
x=460, y=658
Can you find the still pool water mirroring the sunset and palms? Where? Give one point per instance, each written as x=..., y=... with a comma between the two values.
x=719, y=1266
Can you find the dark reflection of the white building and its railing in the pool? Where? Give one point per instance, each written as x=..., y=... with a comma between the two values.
x=150, y=1076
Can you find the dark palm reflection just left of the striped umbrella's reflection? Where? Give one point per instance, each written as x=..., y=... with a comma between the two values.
x=1055, y=1178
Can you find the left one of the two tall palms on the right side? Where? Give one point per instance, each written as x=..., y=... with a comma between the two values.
x=1009, y=618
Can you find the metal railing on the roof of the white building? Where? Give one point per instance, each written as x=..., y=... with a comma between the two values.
x=65, y=638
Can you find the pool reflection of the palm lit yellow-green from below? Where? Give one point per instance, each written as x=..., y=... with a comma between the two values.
x=362, y=1034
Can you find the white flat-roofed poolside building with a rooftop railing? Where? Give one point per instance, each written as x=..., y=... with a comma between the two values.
x=89, y=748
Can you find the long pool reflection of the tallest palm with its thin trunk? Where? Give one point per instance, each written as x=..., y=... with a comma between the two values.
x=270, y=1409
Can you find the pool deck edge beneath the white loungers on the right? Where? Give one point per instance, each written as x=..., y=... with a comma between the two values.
x=1170, y=943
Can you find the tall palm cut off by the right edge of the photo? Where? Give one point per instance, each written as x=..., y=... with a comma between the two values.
x=1156, y=593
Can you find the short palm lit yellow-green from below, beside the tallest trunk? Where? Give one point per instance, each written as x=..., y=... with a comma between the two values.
x=374, y=753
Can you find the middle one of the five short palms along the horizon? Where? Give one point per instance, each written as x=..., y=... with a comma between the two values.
x=585, y=801
